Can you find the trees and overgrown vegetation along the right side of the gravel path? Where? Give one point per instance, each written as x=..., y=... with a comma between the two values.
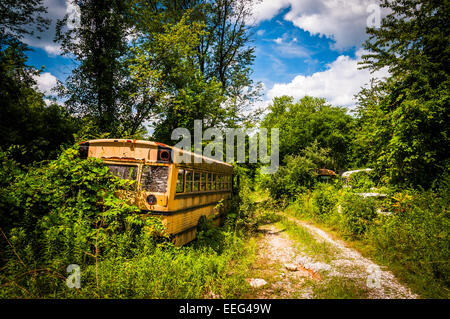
x=401, y=131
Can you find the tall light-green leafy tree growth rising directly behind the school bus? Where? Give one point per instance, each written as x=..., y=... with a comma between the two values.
x=215, y=83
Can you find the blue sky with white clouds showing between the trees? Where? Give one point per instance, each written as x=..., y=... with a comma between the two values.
x=302, y=47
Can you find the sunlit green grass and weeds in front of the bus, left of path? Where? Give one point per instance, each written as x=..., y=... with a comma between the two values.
x=164, y=272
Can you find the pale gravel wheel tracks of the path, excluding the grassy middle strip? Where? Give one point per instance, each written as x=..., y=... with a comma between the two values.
x=286, y=268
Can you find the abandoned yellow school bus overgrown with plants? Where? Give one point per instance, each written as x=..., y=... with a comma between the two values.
x=180, y=193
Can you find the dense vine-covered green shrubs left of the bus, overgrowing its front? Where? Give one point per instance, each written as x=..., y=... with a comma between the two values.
x=66, y=212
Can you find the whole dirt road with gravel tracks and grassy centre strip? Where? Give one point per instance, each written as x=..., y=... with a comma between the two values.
x=299, y=260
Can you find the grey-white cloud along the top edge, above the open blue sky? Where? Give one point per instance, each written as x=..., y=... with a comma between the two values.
x=343, y=21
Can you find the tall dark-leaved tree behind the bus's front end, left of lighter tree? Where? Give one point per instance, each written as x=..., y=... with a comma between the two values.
x=99, y=88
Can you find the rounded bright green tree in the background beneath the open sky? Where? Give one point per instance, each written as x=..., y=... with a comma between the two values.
x=308, y=120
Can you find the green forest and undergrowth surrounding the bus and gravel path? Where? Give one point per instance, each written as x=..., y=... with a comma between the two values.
x=162, y=65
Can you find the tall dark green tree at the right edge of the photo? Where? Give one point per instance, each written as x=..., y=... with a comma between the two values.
x=410, y=115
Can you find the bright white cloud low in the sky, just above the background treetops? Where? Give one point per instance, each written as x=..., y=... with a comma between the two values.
x=338, y=84
